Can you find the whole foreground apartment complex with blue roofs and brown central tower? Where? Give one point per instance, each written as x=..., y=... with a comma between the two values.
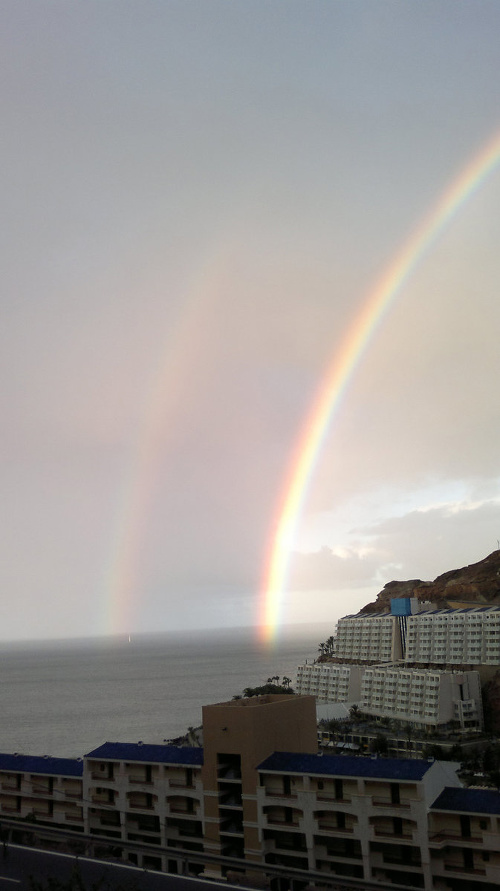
x=260, y=801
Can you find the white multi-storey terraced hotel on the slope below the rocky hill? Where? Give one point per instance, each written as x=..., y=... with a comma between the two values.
x=415, y=664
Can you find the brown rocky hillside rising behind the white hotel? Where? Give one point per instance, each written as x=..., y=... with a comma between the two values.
x=477, y=584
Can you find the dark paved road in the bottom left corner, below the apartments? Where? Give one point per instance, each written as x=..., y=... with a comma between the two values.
x=21, y=863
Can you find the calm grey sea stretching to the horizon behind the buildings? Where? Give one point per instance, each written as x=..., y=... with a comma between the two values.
x=65, y=698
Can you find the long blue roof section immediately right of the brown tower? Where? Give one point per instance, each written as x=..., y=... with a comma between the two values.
x=343, y=766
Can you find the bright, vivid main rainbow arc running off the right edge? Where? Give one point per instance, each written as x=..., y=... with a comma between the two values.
x=340, y=371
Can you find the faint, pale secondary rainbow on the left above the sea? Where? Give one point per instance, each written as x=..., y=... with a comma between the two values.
x=137, y=493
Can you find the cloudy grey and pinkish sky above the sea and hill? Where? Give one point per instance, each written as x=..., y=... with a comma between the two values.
x=198, y=198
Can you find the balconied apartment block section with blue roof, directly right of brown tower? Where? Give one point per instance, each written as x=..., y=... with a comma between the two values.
x=362, y=818
